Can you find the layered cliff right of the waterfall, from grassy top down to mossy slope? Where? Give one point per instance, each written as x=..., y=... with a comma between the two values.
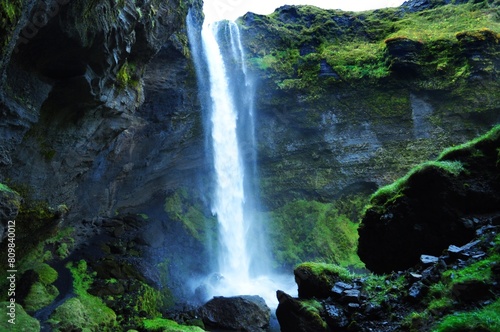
x=353, y=100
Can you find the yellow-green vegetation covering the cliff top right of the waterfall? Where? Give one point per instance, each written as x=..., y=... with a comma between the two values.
x=306, y=45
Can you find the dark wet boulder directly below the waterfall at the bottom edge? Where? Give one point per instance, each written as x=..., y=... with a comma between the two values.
x=242, y=313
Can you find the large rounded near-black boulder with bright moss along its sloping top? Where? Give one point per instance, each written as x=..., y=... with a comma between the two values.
x=427, y=210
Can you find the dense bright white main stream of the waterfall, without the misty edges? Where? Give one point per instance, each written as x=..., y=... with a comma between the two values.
x=234, y=260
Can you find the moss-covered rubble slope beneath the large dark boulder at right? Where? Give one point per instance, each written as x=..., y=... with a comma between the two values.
x=457, y=293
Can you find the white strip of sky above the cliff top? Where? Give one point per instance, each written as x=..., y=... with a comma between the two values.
x=216, y=10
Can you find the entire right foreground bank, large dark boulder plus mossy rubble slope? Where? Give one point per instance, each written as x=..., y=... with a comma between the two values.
x=442, y=270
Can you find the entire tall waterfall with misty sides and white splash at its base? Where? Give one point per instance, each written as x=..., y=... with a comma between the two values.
x=242, y=258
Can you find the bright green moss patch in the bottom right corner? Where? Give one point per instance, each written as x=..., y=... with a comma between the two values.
x=483, y=319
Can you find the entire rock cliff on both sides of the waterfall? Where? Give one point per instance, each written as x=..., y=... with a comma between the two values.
x=102, y=146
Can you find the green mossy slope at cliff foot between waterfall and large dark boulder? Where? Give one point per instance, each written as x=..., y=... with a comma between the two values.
x=313, y=231
